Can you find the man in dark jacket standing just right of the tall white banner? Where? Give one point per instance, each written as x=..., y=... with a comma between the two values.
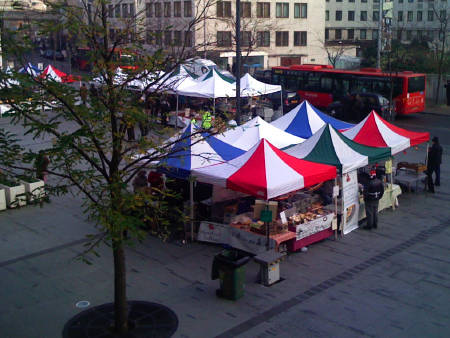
x=373, y=192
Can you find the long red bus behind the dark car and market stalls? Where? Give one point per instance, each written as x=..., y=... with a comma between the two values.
x=322, y=84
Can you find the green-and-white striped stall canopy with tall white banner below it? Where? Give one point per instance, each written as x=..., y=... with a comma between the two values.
x=329, y=146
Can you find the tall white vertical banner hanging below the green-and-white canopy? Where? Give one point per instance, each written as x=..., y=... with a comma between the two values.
x=350, y=202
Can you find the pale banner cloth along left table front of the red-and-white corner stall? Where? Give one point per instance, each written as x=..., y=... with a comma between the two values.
x=234, y=237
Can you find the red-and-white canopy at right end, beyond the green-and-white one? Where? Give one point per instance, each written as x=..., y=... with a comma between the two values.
x=376, y=132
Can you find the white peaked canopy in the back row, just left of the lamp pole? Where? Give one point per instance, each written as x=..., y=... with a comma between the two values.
x=214, y=85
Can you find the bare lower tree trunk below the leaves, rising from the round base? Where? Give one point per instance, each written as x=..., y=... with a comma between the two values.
x=120, y=291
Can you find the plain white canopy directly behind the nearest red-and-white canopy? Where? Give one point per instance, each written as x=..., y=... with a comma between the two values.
x=248, y=134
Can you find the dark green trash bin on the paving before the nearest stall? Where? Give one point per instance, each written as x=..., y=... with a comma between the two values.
x=229, y=267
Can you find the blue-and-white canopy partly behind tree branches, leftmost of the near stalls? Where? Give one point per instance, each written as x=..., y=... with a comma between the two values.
x=195, y=150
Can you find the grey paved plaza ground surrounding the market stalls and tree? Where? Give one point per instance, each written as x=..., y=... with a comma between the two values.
x=390, y=282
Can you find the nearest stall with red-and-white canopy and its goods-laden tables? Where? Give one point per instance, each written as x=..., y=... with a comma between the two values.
x=266, y=173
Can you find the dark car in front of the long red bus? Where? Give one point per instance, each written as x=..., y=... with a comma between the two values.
x=356, y=106
